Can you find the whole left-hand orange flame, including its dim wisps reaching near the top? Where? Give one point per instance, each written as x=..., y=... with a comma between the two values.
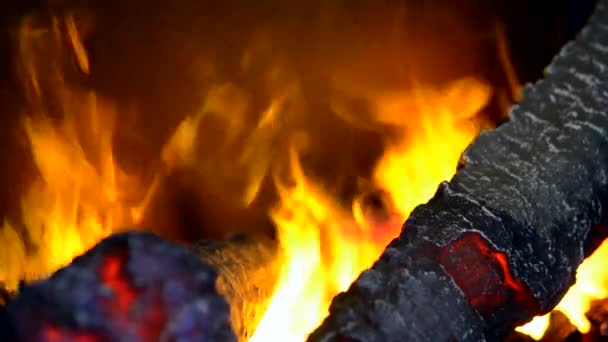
x=76, y=198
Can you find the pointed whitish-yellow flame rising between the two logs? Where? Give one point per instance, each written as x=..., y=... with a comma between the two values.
x=323, y=251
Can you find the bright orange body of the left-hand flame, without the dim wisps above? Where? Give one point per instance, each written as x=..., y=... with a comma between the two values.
x=71, y=206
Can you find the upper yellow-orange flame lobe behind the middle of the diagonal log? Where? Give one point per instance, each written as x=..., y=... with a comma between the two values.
x=436, y=127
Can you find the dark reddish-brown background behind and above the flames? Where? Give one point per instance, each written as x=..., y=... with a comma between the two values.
x=148, y=54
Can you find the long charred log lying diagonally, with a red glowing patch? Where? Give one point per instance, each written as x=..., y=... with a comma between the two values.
x=501, y=241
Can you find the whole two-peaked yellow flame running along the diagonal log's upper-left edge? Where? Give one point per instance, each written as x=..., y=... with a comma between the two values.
x=325, y=246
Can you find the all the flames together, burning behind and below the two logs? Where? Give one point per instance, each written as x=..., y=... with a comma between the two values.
x=81, y=194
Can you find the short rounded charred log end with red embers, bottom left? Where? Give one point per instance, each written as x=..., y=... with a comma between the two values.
x=130, y=287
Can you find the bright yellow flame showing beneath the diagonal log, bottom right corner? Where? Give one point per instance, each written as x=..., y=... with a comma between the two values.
x=591, y=284
